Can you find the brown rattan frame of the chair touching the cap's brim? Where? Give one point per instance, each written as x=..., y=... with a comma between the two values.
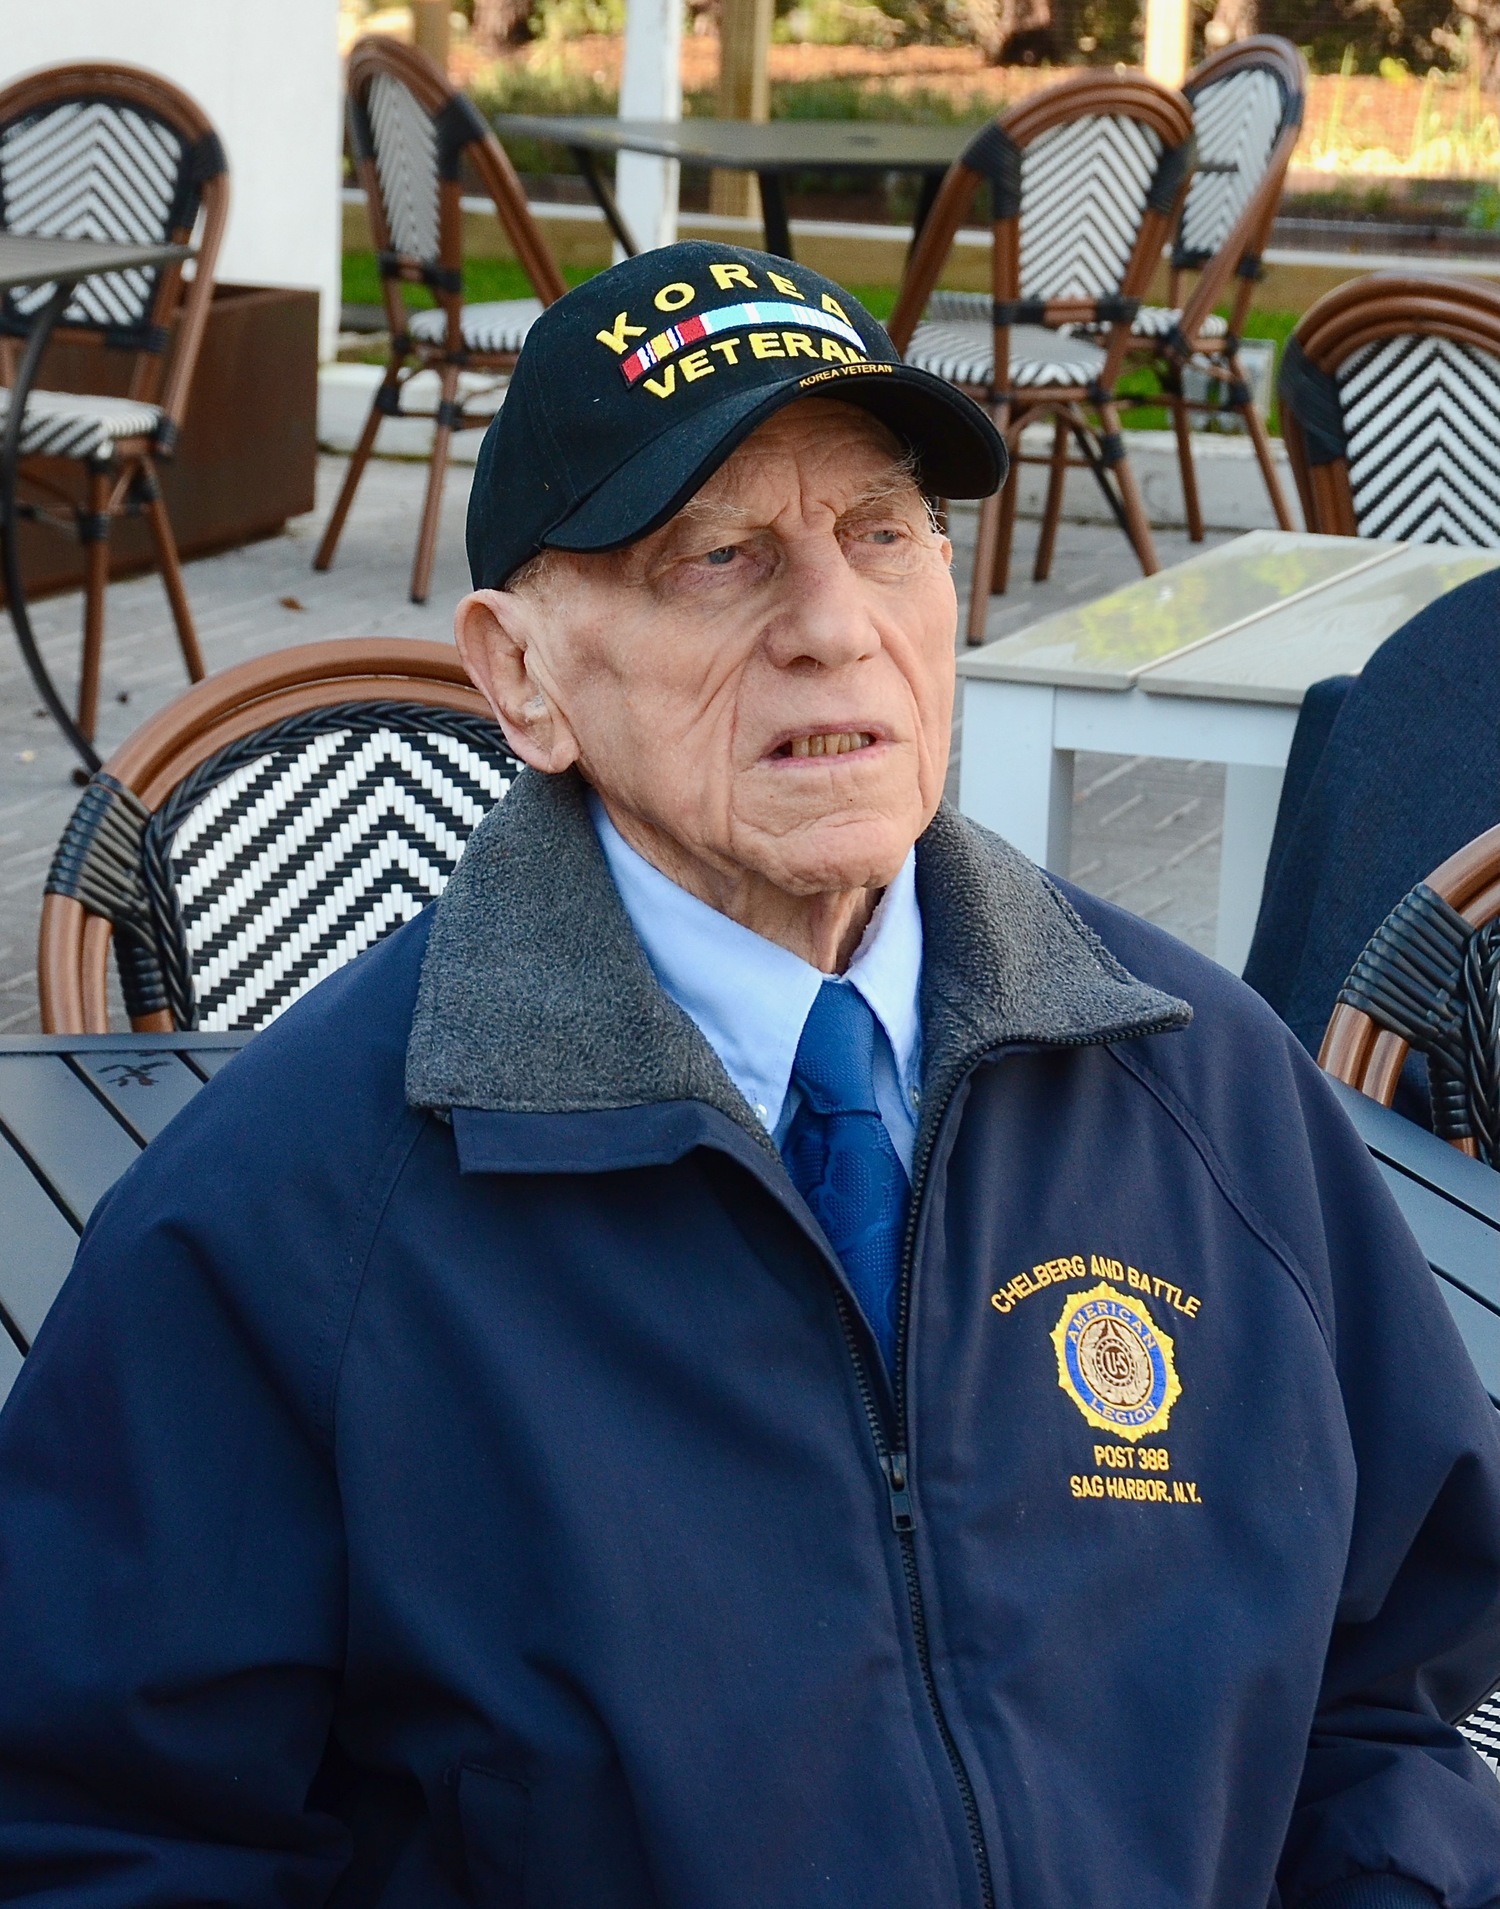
x=1169, y=115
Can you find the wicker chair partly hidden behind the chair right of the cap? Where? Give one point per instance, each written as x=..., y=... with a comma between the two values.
x=1247, y=114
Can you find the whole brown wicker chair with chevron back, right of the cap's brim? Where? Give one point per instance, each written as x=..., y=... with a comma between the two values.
x=1085, y=186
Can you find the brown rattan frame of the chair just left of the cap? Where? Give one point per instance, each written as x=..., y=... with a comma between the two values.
x=463, y=142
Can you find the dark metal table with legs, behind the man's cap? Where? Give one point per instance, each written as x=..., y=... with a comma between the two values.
x=770, y=150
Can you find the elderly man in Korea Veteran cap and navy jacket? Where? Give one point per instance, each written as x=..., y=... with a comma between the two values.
x=764, y=1353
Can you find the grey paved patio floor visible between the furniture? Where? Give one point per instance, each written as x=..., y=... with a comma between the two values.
x=1146, y=833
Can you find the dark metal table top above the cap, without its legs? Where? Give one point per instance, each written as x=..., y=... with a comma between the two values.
x=755, y=146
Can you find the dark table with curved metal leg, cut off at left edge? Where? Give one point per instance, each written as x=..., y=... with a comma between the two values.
x=62, y=264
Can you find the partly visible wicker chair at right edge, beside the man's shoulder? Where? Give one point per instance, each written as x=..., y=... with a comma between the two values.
x=1430, y=980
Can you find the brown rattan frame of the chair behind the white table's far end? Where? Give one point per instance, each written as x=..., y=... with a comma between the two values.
x=1344, y=322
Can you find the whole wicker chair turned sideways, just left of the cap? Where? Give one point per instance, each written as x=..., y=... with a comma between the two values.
x=411, y=135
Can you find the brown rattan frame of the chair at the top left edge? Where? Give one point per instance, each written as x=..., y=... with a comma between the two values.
x=159, y=375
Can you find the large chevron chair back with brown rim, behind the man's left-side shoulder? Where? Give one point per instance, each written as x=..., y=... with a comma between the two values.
x=262, y=831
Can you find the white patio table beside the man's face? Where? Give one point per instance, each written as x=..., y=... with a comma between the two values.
x=1203, y=663
